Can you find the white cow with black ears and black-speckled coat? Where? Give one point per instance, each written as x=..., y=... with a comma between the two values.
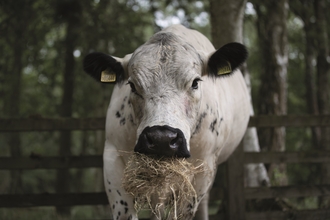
x=174, y=96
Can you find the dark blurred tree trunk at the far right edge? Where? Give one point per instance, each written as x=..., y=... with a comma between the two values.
x=323, y=90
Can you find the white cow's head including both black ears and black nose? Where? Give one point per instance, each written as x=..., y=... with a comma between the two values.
x=165, y=76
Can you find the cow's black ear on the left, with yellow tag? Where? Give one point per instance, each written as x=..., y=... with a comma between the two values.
x=103, y=68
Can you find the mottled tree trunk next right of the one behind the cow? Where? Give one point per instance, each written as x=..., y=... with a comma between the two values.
x=272, y=34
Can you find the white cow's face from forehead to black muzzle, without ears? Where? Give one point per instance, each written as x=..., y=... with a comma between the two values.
x=165, y=80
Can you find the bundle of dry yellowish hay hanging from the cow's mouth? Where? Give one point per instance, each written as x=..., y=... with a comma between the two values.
x=163, y=185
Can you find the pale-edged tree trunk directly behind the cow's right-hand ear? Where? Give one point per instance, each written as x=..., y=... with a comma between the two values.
x=225, y=29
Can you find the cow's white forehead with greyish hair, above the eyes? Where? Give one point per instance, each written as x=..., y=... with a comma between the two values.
x=165, y=56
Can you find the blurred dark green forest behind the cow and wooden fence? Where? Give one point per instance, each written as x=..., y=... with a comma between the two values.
x=43, y=43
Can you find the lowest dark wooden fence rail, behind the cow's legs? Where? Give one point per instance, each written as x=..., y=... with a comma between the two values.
x=99, y=198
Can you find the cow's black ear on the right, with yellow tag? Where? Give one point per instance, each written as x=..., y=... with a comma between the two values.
x=226, y=59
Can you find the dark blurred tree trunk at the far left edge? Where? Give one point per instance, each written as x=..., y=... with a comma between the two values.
x=11, y=85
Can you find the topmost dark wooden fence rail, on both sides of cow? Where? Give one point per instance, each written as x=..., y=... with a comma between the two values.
x=60, y=124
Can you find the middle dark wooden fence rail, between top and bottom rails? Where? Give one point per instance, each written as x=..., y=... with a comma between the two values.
x=94, y=161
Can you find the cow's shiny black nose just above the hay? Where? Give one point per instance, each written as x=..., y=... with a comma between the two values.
x=163, y=141
